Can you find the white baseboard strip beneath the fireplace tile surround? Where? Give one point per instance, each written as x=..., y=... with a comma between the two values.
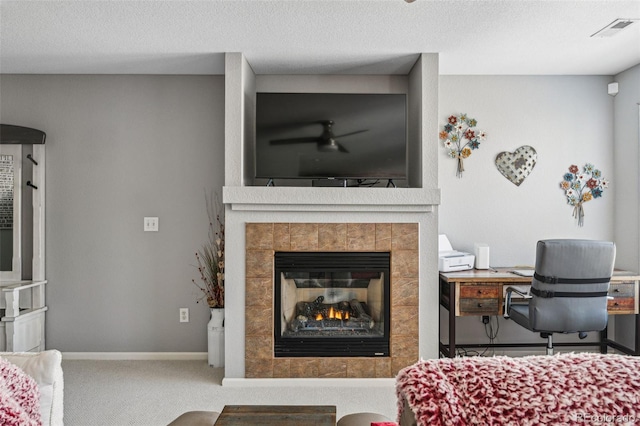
x=309, y=382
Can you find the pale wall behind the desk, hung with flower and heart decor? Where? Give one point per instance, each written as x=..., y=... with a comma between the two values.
x=568, y=120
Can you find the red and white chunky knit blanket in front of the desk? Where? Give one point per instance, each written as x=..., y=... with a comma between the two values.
x=566, y=389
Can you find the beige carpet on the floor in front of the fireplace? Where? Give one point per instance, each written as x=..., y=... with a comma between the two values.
x=150, y=393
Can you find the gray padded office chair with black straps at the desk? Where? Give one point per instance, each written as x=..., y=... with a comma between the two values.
x=569, y=289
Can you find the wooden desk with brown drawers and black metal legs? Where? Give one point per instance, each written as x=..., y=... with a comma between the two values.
x=481, y=292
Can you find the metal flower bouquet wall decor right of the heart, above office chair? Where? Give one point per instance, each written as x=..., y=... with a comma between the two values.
x=581, y=187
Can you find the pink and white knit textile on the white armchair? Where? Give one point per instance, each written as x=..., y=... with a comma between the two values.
x=19, y=397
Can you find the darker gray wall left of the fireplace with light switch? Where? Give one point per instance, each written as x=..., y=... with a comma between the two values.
x=120, y=148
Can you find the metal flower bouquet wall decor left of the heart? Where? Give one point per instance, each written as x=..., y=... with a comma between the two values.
x=460, y=137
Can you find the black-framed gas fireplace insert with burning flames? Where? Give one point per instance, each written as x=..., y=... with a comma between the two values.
x=331, y=304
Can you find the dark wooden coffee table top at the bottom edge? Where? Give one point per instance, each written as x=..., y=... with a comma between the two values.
x=281, y=415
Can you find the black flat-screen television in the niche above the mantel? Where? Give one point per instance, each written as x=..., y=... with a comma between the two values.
x=331, y=135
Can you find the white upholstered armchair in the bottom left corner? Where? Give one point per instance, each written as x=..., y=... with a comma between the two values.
x=46, y=369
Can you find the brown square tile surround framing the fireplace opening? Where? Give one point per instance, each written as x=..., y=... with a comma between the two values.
x=262, y=240
